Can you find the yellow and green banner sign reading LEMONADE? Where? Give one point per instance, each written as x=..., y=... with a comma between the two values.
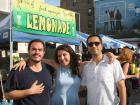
x=35, y=17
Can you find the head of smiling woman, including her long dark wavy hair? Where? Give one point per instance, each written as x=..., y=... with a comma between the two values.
x=66, y=57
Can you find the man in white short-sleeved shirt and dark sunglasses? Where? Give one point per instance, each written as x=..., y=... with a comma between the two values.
x=101, y=78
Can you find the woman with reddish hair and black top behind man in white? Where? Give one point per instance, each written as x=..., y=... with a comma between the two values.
x=125, y=58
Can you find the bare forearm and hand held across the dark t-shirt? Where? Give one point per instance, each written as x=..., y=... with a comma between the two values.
x=18, y=94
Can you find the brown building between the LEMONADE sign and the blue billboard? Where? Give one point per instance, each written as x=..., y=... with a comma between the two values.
x=84, y=10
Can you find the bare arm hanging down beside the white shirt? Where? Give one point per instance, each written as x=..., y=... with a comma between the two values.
x=122, y=92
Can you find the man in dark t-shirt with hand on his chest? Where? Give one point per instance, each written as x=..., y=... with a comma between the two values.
x=32, y=85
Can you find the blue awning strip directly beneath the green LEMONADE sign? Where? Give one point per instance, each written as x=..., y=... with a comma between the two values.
x=26, y=37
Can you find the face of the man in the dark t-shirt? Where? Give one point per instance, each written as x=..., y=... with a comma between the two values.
x=36, y=52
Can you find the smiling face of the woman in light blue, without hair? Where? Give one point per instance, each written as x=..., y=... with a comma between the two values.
x=63, y=58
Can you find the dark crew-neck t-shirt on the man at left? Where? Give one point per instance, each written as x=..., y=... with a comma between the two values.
x=20, y=80
